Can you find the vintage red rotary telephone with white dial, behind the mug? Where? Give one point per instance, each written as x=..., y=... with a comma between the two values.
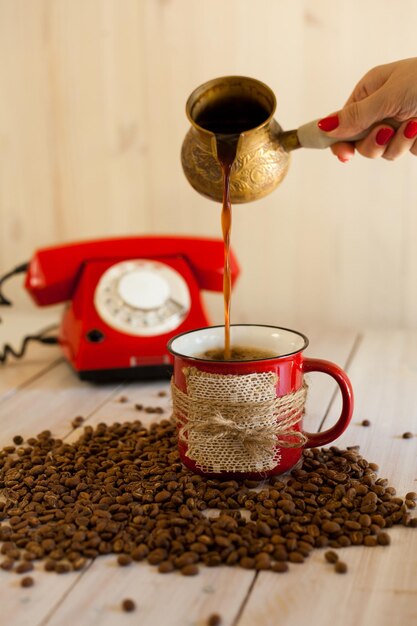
x=127, y=296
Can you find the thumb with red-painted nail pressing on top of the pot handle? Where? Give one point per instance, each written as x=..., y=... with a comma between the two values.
x=355, y=117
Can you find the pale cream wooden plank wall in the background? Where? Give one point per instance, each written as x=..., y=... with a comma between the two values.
x=92, y=96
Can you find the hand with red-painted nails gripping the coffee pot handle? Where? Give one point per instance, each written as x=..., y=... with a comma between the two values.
x=386, y=91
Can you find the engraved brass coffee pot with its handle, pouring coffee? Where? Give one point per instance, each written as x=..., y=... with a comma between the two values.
x=244, y=107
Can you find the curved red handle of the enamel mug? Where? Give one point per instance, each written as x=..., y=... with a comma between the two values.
x=345, y=386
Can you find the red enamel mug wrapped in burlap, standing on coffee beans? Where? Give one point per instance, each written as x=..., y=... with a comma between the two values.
x=244, y=419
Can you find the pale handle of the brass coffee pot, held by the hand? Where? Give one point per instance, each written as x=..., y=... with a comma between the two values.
x=310, y=136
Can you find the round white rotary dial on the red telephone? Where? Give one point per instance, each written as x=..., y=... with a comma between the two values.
x=142, y=298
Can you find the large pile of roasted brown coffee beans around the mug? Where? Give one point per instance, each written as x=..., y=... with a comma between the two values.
x=122, y=490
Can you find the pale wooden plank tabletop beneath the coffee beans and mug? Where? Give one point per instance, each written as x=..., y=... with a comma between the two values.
x=41, y=392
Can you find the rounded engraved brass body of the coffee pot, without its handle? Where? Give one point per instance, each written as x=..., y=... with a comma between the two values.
x=261, y=159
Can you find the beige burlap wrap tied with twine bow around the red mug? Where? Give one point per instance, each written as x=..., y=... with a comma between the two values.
x=230, y=410
